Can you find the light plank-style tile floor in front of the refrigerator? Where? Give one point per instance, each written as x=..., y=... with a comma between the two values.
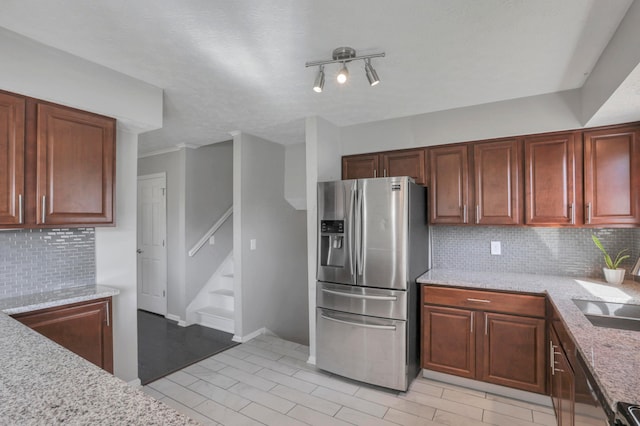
x=267, y=382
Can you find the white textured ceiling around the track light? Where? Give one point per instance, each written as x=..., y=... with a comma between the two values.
x=239, y=65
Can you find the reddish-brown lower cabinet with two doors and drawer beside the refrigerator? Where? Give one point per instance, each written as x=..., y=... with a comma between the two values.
x=506, y=347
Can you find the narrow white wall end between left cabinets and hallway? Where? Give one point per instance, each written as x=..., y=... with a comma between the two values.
x=116, y=259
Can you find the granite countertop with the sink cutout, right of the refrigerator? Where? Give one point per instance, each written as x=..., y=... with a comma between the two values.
x=612, y=355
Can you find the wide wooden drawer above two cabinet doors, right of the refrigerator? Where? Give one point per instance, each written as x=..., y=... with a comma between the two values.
x=518, y=304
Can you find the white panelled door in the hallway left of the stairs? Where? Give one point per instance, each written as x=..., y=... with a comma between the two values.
x=152, y=247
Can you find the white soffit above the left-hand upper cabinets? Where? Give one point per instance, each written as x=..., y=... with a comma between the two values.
x=36, y=70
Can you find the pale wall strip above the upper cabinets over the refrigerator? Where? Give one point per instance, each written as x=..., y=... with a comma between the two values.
x=535, y=114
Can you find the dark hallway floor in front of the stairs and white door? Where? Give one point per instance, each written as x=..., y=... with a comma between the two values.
x=164, y=347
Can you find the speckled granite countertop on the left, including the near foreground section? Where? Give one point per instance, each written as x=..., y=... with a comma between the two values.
x=42, y=383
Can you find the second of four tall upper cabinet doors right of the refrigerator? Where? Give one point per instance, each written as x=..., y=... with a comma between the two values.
x=497, y=183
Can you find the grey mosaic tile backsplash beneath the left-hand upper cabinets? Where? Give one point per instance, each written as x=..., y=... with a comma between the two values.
x=38, y=260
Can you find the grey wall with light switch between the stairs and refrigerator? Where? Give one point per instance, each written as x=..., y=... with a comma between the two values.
x=272, y=278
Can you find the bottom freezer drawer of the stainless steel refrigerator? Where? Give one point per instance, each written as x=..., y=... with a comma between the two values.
x=371, y=350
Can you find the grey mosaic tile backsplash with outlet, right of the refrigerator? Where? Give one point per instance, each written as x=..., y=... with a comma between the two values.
x=551, y=251
